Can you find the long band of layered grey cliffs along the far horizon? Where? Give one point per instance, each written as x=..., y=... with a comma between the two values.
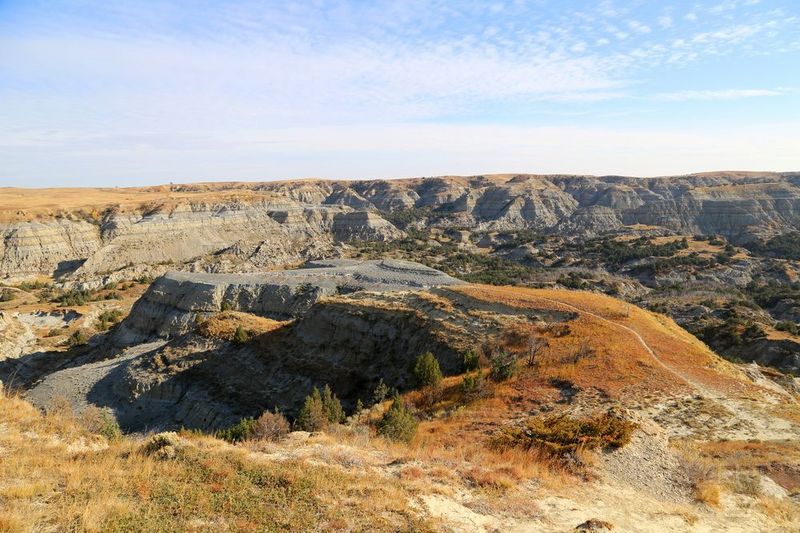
x=278, y=223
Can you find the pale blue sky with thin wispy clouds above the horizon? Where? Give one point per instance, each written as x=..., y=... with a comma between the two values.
x=114, y=93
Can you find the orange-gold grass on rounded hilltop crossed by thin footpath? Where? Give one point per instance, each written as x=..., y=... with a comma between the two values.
x=621, y=363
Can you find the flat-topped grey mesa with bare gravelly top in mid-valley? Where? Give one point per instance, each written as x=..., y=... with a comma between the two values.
x=177, y=300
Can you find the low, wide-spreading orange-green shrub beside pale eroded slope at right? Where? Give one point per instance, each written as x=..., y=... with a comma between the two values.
x=562, y=434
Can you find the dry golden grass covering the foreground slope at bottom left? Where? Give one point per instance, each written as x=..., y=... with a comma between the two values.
x=55, y=476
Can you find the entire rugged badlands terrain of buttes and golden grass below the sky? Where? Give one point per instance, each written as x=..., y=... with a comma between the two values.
x=615, y=353
